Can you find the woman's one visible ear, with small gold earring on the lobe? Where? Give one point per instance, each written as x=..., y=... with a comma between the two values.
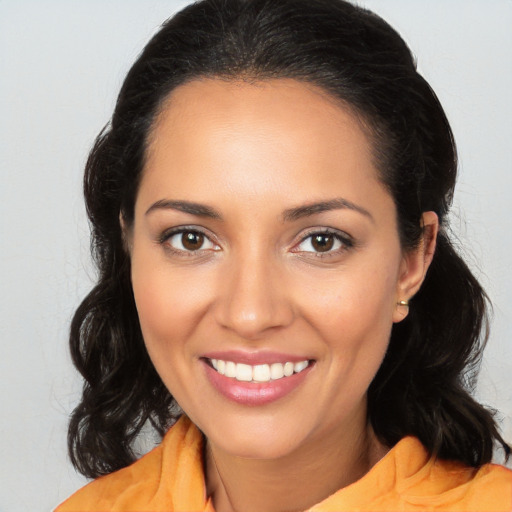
x=414, y=265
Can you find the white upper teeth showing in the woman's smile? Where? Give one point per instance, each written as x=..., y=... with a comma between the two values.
x=258, y=373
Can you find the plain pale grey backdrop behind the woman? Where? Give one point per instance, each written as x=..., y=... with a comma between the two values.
x=61, y=66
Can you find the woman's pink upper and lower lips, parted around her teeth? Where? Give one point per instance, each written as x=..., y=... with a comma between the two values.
x=254, y=393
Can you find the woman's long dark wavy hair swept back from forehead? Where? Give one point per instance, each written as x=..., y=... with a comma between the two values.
x=423, y=387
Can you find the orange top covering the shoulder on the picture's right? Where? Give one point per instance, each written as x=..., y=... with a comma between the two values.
x=408, y=478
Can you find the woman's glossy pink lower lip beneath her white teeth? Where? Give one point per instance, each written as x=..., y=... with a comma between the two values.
x=254, y=393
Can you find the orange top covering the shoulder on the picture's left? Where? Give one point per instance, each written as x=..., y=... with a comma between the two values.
x=140, y=486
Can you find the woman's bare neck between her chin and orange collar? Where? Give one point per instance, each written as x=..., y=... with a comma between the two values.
x=294, y=482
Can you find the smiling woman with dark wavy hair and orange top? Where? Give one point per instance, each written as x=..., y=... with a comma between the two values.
x=269, y=220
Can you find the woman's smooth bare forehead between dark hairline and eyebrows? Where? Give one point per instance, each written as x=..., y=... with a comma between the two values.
x=270, y=137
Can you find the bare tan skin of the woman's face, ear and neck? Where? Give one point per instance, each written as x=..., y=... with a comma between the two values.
x=252, y=152
